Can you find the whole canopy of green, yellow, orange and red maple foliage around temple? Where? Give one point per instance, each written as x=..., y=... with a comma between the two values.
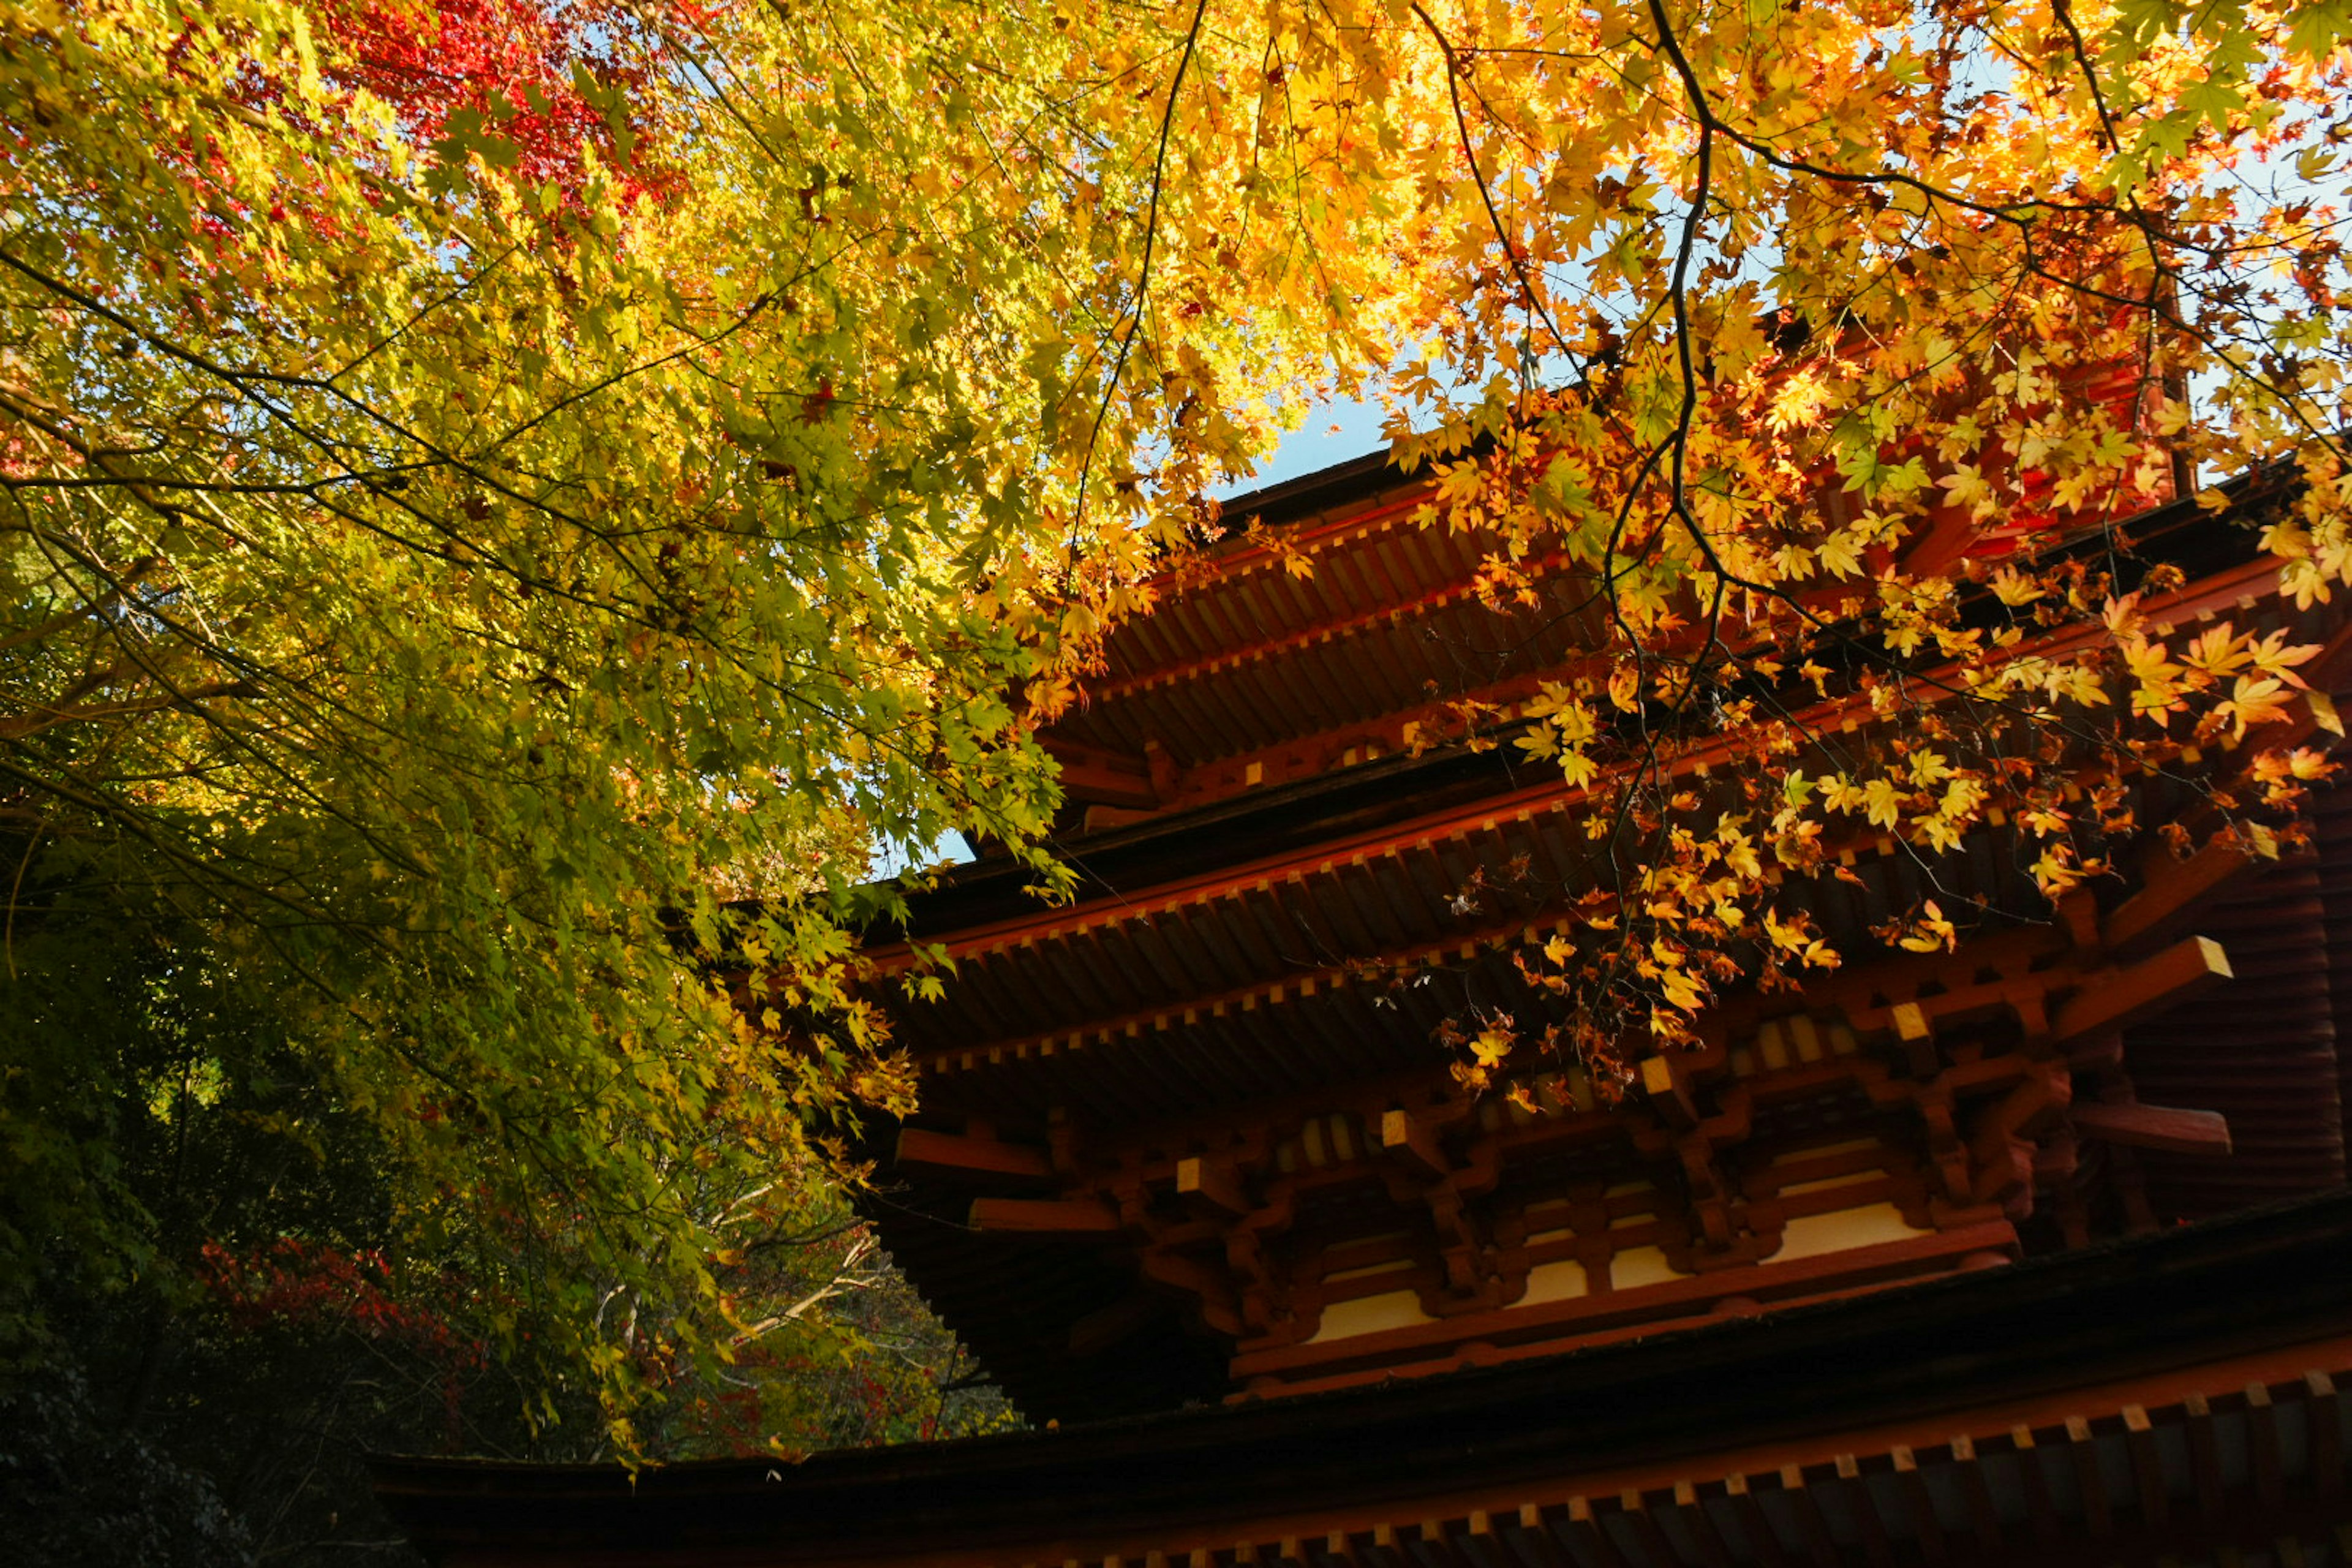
x=507, y=502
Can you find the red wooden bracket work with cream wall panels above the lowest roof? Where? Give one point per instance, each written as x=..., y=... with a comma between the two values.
x=1899, y=1125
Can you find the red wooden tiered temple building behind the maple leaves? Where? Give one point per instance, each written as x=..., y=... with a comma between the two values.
x=2036, y=1252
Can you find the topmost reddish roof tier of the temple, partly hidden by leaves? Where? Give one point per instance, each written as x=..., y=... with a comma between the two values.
x=1339, y=624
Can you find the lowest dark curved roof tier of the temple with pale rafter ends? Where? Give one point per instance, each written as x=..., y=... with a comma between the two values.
x=2172, y=1398
